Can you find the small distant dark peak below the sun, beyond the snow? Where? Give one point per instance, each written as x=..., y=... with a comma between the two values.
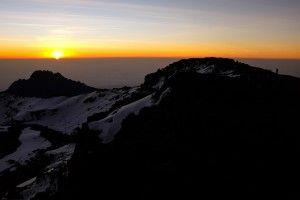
x=47, y=84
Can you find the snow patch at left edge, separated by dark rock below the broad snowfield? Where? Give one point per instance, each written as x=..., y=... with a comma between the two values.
x=31, y=141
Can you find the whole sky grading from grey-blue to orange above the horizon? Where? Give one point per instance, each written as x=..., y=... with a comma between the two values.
x=156, y=28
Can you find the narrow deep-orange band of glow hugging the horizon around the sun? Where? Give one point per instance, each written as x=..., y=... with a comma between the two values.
x=168, y=52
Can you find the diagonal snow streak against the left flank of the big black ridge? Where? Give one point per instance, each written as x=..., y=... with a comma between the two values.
x=111, y=125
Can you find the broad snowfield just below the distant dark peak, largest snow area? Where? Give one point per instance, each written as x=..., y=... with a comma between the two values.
x=59, y=113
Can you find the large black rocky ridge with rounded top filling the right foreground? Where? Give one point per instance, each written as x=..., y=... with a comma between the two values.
x=212, y=137
